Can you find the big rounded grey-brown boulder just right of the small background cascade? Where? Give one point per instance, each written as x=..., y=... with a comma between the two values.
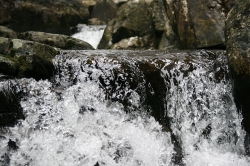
x=133, y=19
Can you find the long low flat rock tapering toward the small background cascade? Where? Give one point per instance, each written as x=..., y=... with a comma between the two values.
x=56, y=40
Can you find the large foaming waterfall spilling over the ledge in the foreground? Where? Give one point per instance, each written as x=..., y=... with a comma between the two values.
x=129, y=108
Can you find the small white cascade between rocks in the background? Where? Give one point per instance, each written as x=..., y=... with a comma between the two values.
x=90, y=33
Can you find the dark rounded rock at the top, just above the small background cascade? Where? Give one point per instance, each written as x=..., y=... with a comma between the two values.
x=104, y=11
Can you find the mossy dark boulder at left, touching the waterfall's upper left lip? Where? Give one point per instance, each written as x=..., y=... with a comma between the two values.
x=31, y=59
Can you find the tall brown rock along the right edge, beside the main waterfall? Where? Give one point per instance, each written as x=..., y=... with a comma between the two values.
x=238, y=50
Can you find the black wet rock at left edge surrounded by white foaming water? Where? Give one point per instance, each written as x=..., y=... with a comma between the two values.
x=10, y=109
